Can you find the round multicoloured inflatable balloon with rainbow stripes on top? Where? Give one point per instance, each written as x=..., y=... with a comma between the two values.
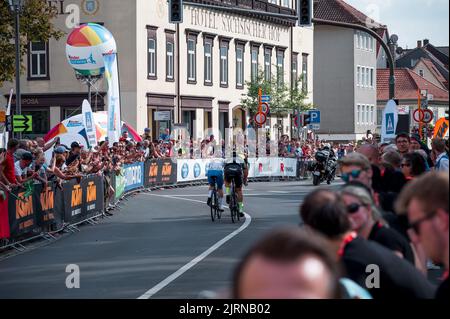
x=85, y=47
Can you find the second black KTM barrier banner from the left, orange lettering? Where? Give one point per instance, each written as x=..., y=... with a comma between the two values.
x=49, y=204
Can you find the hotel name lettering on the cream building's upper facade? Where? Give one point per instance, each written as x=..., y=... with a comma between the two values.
x=222, y=22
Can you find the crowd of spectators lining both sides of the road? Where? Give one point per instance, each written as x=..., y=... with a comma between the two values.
x=391, y=213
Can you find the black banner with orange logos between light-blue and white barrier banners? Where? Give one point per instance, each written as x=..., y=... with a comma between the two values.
x=161, y=171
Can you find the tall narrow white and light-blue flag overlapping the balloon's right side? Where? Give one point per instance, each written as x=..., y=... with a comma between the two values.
x=112, y=77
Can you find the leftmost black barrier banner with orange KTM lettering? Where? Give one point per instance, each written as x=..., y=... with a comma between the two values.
x=22, y=213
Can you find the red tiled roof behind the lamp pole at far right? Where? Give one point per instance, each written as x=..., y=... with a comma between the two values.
x=407, y=84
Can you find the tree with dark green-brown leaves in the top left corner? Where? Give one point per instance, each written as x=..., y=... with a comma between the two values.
x=35, y=25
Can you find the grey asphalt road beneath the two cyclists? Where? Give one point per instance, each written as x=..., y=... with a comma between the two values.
x=161, y=244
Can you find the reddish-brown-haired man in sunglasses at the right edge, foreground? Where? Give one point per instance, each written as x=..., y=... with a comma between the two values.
x=427, y=204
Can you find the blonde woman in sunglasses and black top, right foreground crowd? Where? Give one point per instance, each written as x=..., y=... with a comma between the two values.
x=366, y=220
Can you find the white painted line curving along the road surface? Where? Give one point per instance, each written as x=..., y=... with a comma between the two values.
x=197, y=259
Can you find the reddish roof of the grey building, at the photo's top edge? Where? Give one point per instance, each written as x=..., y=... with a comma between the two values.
x=338, y=10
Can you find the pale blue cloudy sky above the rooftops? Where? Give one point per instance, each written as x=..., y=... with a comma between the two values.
x=411, y=20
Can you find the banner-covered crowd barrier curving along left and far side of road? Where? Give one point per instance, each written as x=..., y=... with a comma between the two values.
x=45, y=213
